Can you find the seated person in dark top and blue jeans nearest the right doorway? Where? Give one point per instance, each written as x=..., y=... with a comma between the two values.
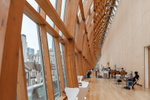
x=134, y=81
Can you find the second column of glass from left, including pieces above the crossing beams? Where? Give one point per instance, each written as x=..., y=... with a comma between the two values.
x=53, y=59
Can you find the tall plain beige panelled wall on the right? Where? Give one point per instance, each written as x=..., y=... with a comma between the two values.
x=127, y=37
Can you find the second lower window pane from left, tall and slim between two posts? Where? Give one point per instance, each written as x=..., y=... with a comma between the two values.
x=54, y=67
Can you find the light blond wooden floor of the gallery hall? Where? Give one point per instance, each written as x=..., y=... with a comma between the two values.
x=106, y=89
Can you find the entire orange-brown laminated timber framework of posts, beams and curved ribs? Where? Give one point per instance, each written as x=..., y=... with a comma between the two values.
x=84, y=30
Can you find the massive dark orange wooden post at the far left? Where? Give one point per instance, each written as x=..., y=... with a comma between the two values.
x=10, y=58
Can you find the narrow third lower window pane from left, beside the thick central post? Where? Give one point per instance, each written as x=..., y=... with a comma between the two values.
x=63, y=65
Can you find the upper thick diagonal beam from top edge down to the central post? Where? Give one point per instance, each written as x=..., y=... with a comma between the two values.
x=51, y=12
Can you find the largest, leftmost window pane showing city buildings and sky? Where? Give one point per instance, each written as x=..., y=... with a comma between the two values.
x=33, y=60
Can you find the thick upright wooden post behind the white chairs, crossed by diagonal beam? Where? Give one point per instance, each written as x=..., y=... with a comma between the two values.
x=71, y=10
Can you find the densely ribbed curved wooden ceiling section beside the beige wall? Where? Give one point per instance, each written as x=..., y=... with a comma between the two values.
x=104, y=11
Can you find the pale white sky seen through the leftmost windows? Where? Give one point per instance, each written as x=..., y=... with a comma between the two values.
x=29, y=29
